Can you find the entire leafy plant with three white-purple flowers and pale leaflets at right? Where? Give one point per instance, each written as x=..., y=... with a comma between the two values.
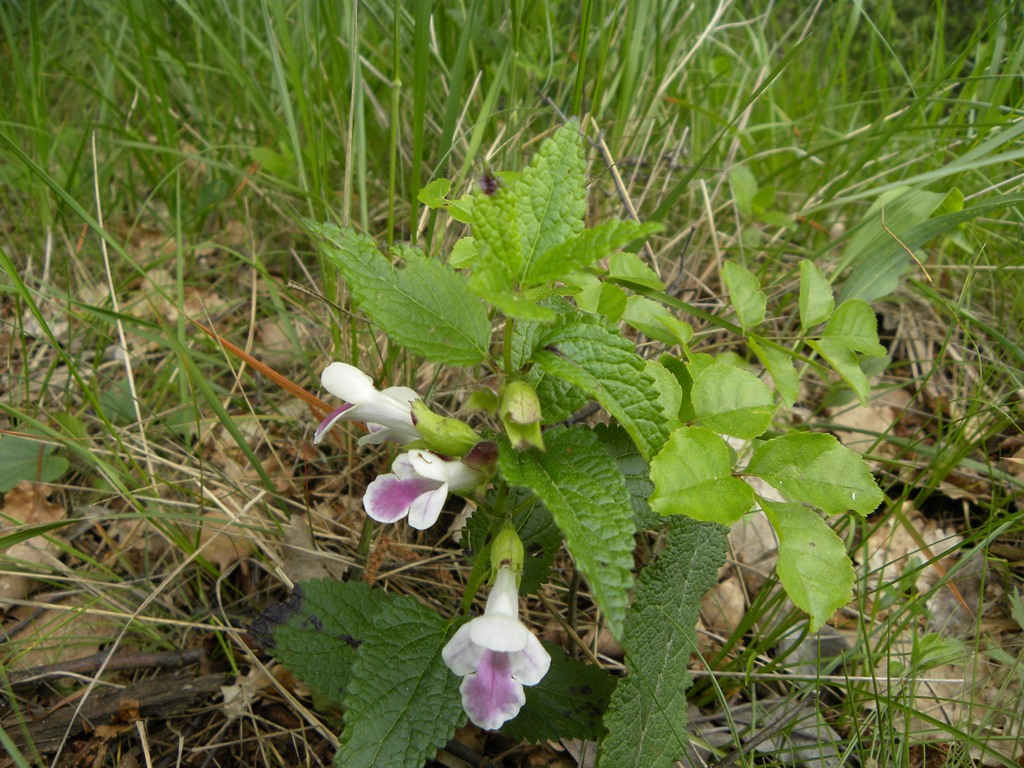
x=694, y=443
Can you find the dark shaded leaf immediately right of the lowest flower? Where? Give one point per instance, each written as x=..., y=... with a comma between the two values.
x=569, y=703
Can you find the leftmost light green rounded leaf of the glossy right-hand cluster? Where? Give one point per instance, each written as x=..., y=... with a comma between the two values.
x=694, y=477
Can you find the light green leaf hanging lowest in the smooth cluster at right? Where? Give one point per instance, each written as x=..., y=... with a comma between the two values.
x=814, y=566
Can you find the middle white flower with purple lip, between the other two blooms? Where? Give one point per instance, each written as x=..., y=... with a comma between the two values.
x=417, y=487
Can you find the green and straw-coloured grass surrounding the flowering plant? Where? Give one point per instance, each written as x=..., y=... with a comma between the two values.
x=201, y=135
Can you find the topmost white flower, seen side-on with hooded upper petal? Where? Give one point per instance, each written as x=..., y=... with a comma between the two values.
x=388, y=414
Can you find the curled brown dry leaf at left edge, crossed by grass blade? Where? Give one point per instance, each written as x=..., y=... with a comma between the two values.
x=27, y=504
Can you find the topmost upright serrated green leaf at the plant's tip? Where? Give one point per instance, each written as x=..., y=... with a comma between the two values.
x=552, y=196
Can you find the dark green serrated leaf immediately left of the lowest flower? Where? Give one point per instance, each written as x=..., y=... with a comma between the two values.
x=403, y=702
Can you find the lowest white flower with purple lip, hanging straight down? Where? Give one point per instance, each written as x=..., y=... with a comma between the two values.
x=497, y=656
